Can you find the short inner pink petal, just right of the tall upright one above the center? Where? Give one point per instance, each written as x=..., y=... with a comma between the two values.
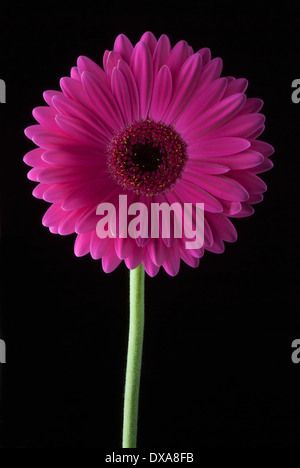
x=162, y=93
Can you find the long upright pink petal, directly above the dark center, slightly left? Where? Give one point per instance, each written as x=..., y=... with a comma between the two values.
x=142, y=69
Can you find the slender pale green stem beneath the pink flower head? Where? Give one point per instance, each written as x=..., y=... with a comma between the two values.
x=134, y=357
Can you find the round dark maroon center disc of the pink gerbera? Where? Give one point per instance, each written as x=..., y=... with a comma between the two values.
x=146, y=157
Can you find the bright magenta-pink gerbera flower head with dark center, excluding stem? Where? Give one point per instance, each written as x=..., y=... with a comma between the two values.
x=158, y=124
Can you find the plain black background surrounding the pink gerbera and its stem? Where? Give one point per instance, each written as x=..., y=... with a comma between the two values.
x=217, y=369
